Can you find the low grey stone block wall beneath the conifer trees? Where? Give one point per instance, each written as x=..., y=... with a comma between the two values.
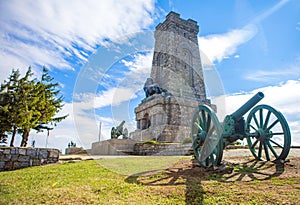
x=12, y=158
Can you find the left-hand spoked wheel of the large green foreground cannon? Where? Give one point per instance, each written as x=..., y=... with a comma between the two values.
x=206, y=137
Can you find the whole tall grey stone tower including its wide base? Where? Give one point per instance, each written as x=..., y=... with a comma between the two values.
x=176, y=85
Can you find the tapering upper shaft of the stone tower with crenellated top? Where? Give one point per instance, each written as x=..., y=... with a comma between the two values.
x=176, y=63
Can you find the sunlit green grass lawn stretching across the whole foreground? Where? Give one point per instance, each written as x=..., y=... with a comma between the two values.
x=106, y=182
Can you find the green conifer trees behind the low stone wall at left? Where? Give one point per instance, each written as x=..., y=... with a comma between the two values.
x=29, y=104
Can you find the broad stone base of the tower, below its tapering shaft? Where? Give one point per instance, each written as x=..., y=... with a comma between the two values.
x=169, y=118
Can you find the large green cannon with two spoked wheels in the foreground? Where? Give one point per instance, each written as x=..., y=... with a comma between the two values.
x=265, y=129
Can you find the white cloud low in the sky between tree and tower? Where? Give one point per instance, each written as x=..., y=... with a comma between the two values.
x=82, y=124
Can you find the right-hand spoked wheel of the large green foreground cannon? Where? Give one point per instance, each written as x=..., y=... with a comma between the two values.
x=272, y=137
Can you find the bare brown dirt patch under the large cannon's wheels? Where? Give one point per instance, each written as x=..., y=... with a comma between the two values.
x=238, y=169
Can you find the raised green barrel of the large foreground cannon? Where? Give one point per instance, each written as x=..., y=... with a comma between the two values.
x=237, y=115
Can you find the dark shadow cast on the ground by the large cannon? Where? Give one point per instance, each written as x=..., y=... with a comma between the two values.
x=188, y=174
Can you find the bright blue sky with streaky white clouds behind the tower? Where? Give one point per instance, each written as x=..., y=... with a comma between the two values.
x=250, y=45
